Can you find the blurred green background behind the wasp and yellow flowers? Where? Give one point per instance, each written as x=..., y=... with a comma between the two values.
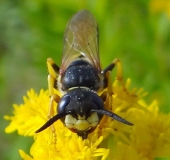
x=136, y=32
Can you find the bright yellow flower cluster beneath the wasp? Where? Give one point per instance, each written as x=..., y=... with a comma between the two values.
x=147, y=139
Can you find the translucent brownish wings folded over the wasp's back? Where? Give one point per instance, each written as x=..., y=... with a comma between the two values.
x=81, y=41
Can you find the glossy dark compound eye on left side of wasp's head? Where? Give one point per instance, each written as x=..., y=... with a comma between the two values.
x=63, y=103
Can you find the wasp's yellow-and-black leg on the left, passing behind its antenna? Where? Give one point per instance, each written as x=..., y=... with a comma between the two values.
x=53, y=70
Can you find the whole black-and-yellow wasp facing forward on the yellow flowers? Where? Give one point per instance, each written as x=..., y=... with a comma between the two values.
x=79, y=79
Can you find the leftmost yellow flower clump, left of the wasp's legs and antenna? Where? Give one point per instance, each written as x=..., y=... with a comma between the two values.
x=27, y=116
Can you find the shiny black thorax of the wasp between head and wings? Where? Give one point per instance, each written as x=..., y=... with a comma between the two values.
x=80, y=73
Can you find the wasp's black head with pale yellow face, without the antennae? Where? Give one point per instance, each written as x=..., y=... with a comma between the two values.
x=78, y=105
